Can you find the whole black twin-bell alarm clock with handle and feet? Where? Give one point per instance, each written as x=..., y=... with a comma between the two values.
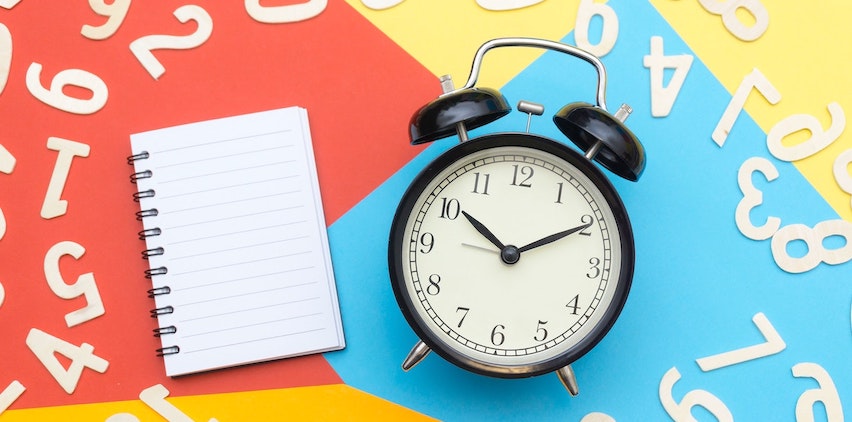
x=511, y=254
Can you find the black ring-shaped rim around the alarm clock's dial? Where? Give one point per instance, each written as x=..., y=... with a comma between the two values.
x=397, y=240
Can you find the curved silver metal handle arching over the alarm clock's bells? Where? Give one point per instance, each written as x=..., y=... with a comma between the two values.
x=545, y=44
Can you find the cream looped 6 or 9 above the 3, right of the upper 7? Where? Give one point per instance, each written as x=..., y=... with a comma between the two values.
x=818, y=140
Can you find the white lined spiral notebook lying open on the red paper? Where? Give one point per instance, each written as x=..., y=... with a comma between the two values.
x=236, y=241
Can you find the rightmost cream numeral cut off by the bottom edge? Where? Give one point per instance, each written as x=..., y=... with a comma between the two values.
x=826, y=394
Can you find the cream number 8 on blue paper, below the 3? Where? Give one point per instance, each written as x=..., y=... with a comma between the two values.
x=814, y=239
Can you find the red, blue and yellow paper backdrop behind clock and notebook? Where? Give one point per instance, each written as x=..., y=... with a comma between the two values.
x=746, y=87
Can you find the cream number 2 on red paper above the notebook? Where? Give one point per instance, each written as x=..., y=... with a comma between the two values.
x=142, y=47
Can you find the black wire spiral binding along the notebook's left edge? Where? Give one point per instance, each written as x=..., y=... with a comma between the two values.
x=156, y=251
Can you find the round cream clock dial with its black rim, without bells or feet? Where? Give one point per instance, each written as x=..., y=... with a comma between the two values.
x=511, y=255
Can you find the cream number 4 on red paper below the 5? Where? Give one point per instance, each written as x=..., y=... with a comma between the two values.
x=45, y=347
